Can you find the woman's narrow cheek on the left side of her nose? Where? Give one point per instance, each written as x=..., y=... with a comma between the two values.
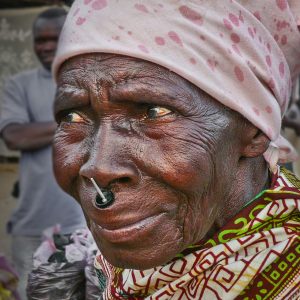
x=69, y=153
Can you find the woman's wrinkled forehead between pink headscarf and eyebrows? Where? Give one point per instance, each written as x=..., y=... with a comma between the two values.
x=114, y=76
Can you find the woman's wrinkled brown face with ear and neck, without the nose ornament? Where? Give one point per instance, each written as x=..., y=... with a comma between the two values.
x=179, y=163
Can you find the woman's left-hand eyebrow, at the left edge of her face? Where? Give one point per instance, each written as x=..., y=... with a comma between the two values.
x=70, y=97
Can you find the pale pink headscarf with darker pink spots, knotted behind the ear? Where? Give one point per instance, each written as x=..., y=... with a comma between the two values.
x=244, y=53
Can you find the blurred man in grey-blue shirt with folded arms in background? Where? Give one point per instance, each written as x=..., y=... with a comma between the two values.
x=27, y=124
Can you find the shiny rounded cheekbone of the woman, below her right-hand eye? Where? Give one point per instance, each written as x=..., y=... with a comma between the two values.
x=182, y=157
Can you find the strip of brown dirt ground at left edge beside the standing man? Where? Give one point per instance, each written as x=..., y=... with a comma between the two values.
x=8, y=175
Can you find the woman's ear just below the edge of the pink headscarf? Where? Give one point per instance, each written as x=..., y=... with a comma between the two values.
x=255, y=142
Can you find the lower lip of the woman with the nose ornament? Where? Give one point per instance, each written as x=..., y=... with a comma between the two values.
x=128, y=231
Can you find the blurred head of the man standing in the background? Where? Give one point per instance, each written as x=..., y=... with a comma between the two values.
x=46, y=30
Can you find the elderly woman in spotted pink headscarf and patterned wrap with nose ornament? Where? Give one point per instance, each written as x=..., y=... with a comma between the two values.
x=169, y=115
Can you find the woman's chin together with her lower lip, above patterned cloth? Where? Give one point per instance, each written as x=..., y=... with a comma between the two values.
x=142, y=245
